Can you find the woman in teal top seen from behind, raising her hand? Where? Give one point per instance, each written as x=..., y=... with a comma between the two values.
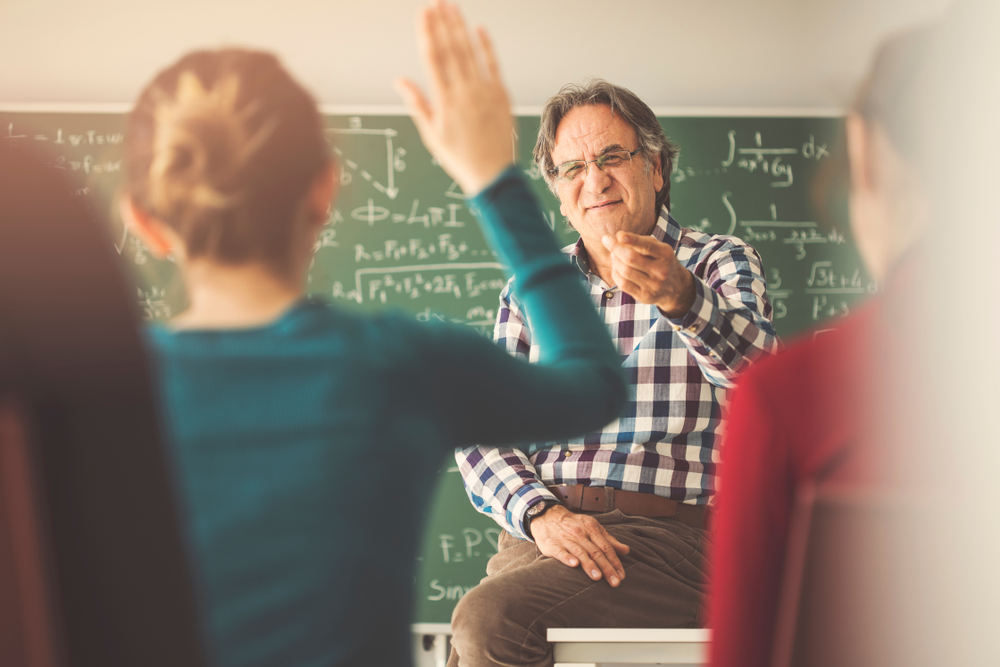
x=307, y=439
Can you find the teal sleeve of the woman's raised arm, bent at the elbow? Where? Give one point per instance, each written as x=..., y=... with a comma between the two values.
x=483, y=395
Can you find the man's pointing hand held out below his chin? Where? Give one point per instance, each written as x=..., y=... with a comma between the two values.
x=649, y=271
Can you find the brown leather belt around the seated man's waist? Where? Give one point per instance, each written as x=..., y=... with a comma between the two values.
x=607, y=499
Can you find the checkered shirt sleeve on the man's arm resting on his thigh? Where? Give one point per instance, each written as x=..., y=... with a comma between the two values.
x=501, y=482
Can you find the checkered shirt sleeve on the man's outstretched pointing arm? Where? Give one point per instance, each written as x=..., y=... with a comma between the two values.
x=729, y=324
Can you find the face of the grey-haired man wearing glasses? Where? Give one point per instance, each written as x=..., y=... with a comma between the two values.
x=600, y=203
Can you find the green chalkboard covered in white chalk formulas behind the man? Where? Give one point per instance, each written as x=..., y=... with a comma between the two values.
x=401, y=237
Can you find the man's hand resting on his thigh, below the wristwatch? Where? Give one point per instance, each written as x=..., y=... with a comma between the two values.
x=578, y=539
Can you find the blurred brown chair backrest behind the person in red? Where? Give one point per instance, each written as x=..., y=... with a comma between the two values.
x=845, y=589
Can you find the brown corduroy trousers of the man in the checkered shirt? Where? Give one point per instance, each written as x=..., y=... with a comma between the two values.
x=503, y=621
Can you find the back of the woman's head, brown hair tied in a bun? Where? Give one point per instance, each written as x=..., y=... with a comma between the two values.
x=223, y=147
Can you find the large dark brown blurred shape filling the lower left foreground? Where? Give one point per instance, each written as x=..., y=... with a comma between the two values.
x=88, y=528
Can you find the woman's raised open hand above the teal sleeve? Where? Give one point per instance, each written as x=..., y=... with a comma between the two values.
x=466, y=123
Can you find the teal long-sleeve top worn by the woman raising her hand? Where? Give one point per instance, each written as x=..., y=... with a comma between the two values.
x=306, y=450
